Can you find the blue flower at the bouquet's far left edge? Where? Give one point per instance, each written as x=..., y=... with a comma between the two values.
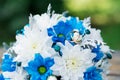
x=8, y=64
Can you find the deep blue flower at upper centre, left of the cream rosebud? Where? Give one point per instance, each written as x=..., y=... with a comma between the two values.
x=61, y=31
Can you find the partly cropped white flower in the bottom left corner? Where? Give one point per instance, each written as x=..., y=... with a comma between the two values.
x=18, y=74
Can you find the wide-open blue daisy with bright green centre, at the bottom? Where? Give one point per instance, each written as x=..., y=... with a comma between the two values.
x=39, y=68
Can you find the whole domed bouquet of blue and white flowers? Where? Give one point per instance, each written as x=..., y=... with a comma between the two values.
x=56, y=47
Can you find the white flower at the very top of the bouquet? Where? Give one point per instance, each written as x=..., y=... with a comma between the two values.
x=46, y=20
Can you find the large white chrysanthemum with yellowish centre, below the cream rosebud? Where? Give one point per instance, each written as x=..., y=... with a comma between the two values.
x=73, y=62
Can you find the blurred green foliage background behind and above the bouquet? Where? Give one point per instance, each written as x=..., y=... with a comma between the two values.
x=105, y=15
